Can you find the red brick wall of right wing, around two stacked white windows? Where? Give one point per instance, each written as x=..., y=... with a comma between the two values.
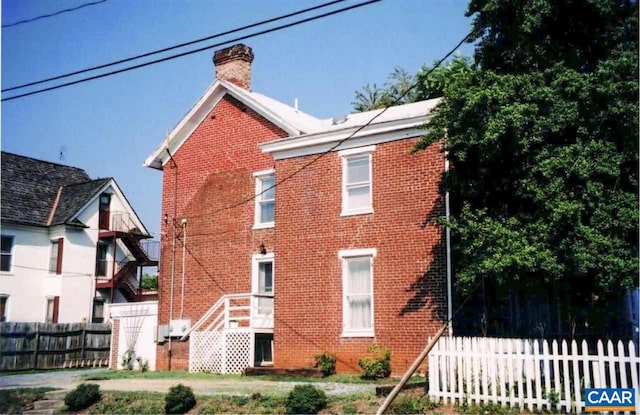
x=409, y=268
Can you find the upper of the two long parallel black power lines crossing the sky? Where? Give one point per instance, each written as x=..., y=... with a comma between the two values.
x=155, y=52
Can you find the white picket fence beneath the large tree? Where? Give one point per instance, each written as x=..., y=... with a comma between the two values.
x=529, y=373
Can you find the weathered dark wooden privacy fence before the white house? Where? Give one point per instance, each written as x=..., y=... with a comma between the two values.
x=31, y=346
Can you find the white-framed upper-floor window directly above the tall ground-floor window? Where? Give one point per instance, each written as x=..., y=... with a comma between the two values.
x=356, y=181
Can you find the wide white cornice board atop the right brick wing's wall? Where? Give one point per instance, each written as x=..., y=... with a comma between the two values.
x=372, y=134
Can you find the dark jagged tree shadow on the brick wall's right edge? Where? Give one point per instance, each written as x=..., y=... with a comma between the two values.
x=430, y=288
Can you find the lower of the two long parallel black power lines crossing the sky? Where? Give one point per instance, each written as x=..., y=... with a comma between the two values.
x=274, y=29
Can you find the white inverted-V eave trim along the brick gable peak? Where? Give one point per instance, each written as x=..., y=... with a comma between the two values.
x=201, y=109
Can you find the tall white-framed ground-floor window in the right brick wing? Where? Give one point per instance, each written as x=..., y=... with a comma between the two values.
x=357, y=292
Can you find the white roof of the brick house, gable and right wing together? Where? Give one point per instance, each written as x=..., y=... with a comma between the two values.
x=294, y=122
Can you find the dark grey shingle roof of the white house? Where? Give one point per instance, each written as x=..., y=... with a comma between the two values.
x=30, y=187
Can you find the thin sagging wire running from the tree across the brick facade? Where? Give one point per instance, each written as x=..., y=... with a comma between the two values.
x=342, y=141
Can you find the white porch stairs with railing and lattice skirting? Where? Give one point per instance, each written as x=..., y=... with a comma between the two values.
x=223, y=340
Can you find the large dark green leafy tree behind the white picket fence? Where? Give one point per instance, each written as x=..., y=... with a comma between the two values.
x=542, y=133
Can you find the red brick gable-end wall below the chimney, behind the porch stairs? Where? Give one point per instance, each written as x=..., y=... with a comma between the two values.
x=215, y=169
